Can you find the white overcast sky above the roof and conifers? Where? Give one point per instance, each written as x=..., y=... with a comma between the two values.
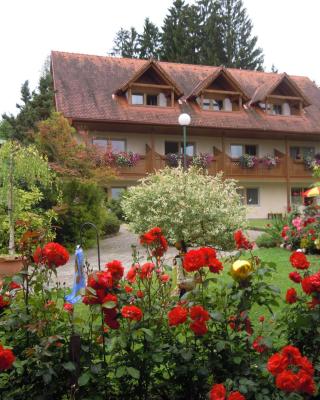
x=287, y=30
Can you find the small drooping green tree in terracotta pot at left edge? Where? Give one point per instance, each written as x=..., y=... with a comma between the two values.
x=21, y=169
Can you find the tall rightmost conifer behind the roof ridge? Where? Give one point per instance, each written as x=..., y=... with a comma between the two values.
x=239, y=46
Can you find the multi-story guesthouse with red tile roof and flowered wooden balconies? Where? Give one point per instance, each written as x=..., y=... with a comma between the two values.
x=260, y=128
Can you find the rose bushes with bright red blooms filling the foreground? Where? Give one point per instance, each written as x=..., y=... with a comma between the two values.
x=148, y=333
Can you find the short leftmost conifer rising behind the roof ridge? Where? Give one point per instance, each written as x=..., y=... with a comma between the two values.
x=126, y=43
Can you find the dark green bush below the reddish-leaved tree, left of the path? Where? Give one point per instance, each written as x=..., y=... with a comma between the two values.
x=82, y=202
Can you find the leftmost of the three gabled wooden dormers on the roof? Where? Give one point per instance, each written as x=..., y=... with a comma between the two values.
x=150, y=86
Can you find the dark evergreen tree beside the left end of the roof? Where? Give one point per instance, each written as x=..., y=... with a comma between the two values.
x=35, y=106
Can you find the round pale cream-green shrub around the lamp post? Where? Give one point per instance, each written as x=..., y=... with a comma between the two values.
x=187, y=205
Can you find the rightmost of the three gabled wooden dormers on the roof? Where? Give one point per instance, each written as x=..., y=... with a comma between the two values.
x=280, y=96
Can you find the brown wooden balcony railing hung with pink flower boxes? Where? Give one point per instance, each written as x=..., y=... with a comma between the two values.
x=286, y=168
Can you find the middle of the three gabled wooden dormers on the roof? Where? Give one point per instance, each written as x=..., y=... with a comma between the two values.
x=219, y=92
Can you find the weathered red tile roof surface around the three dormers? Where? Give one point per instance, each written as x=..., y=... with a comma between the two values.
x=85, y=86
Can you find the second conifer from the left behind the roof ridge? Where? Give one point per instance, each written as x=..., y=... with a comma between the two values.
x=149, y=41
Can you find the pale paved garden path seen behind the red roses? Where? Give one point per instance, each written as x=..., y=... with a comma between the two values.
x=118, y=247
